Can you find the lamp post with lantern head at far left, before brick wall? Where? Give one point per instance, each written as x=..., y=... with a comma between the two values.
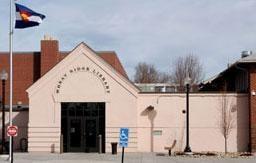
x=4, y=77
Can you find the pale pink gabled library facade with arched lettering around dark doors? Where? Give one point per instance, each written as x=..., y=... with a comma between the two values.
x=79, y=78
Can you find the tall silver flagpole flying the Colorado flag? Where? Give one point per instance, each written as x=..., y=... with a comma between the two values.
x=11, y=74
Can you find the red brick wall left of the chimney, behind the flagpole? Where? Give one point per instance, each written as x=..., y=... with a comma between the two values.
x=25, y=72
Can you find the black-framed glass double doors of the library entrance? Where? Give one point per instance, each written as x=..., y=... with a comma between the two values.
x=81, y=126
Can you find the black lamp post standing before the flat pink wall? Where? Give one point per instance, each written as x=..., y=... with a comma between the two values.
x=187, y=149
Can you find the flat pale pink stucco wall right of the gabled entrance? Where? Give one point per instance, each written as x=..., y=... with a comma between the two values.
x=205, y=117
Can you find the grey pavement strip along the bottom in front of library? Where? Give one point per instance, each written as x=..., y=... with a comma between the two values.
x=108, y=158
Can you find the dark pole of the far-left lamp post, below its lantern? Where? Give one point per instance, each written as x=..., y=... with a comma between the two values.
x=3, y=115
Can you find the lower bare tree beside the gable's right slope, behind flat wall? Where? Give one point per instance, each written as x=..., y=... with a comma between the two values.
x=147, y=73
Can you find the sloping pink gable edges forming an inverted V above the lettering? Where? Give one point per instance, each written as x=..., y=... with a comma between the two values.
x=82, y=48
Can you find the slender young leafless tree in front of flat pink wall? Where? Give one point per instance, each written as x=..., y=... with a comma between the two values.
x=226, y=122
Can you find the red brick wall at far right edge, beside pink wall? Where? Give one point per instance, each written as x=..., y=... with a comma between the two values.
x=252, y=106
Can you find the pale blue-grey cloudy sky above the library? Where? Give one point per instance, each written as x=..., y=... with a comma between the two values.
x=154, y=31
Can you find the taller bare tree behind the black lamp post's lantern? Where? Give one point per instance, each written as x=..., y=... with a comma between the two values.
x=185, y=66
